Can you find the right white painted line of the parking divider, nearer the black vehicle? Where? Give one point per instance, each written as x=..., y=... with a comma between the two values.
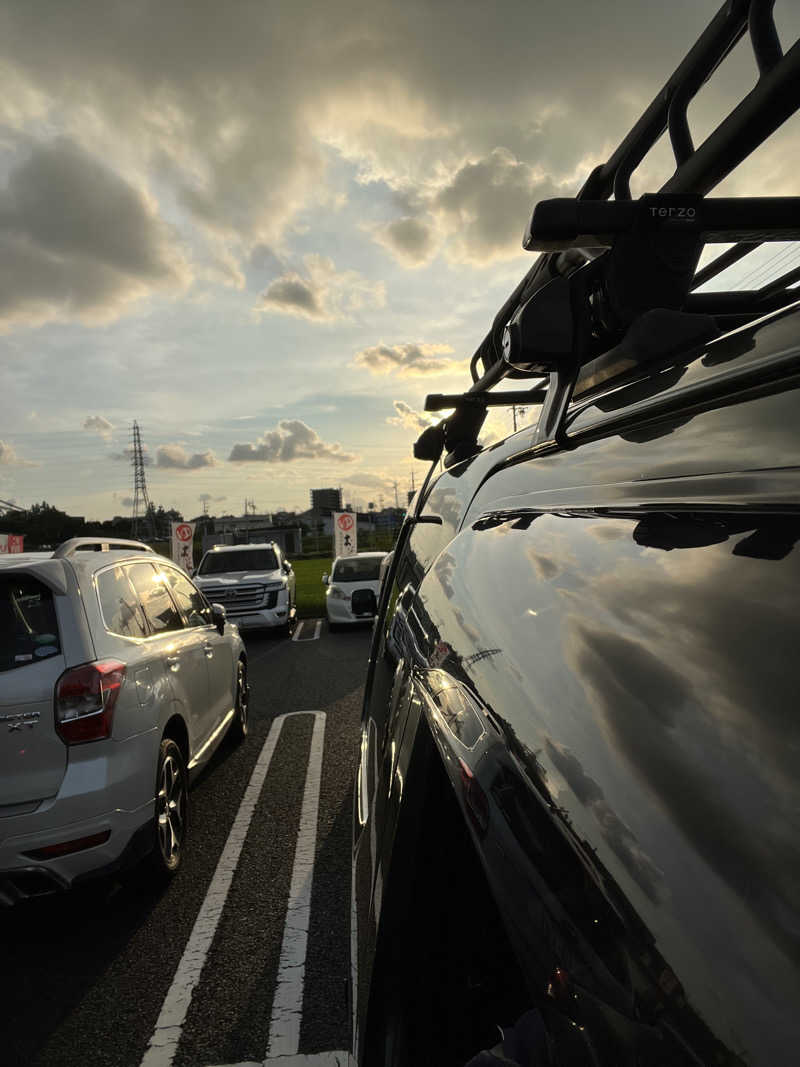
x=287, y=1006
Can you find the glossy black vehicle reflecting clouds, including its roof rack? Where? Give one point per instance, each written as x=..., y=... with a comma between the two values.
x=578, y=807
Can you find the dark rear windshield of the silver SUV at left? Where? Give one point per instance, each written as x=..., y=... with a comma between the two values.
x=29, y=631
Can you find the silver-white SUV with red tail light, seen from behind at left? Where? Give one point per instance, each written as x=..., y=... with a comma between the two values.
x=118, y=682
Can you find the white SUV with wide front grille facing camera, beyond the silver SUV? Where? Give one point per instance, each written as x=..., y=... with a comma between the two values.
x=254, y=583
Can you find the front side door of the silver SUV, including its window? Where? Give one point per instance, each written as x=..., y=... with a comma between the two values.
x=217, y=647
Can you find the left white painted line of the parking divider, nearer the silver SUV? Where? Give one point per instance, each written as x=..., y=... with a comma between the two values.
x=164, y=1044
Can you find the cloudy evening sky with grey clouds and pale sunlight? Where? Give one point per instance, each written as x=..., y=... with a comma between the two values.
x=266, y=230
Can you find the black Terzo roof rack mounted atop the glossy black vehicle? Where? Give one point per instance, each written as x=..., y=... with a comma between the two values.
x=606, y=265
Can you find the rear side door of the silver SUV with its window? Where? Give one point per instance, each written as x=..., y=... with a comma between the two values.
x=182, y=650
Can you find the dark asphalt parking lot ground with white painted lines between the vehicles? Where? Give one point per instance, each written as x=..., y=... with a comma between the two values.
x=210, y=972
